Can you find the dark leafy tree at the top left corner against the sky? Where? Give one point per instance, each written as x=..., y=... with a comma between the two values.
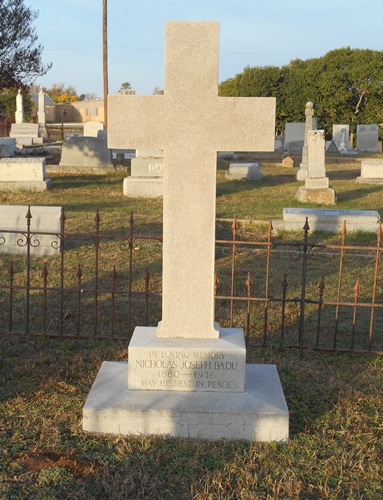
x=20, y=54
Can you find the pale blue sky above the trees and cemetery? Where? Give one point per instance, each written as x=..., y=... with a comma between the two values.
x=252, y=33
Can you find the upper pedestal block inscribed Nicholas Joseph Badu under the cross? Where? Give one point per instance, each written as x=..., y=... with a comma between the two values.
x=164, y=367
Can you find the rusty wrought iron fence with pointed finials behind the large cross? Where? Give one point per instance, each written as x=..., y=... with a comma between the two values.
x=101, y=284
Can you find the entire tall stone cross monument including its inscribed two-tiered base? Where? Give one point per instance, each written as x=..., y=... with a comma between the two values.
x=181, y=369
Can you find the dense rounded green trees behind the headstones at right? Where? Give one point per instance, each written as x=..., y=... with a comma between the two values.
x=345, y=85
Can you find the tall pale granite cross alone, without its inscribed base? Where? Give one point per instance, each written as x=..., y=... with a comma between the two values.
x=190, y=122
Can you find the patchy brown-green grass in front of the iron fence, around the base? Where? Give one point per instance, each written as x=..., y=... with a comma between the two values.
x=335, y=450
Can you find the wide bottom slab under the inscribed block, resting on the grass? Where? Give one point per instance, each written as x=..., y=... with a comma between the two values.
x=259, y=414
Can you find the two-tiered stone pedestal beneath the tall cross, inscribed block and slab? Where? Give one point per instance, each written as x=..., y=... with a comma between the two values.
x=259, y=413
